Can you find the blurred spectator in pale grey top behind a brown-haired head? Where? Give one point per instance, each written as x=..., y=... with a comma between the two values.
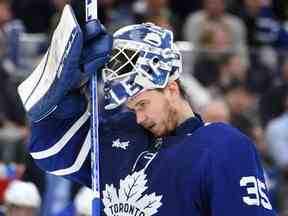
x=214, y=13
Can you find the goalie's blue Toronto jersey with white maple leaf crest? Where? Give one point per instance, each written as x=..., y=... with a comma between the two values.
x=199, y=170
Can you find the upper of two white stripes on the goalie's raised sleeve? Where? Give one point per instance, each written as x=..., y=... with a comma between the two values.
x=56, y=148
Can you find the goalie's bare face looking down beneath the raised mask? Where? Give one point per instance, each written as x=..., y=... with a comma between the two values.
x=154, y=111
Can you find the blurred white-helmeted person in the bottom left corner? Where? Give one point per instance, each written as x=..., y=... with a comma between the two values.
x=21, y=199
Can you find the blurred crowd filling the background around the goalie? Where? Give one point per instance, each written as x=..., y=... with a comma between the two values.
x=235, y=55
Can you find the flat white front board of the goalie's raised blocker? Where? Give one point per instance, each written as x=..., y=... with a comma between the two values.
x=41, y=79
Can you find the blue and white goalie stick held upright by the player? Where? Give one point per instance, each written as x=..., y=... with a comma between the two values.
x=91, y=14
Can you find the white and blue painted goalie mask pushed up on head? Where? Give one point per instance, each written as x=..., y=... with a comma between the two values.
x=143, y=57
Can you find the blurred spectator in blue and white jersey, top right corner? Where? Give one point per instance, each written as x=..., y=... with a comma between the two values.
x=265, y=32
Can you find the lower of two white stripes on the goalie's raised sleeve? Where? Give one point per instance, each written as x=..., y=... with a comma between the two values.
x=76, y=166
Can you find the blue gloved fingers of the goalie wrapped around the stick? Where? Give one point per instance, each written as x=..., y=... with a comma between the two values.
x=97, y=47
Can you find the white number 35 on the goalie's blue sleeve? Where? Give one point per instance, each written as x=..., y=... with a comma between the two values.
x=255, y=191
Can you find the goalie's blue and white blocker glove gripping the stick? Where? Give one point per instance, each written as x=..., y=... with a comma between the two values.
x=47, y=90
